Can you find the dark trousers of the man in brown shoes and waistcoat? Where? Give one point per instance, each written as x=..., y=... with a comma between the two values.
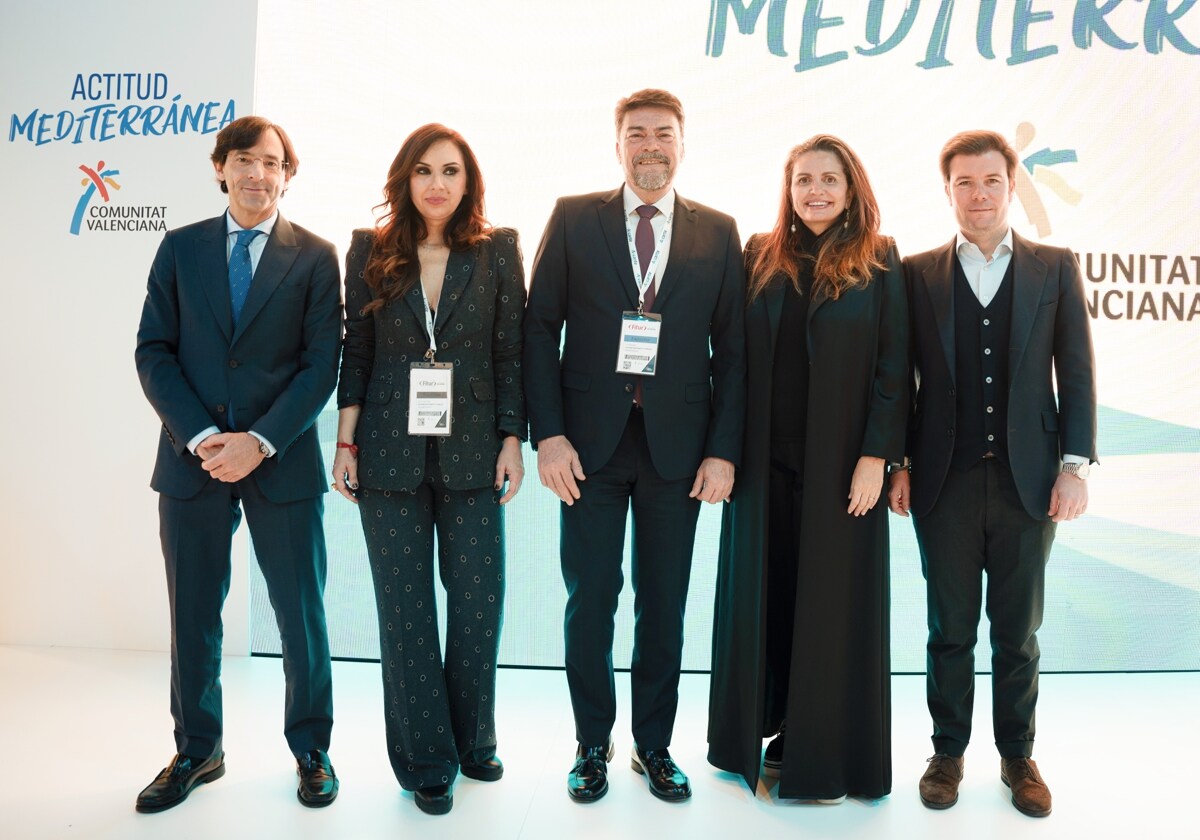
x=979, y=526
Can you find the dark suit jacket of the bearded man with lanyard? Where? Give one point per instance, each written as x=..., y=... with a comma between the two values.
x=583, y=278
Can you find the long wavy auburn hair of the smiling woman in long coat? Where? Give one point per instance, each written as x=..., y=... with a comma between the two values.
x=853, y=248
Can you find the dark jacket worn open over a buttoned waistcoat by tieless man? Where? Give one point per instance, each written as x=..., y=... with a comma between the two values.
x=1051, y=344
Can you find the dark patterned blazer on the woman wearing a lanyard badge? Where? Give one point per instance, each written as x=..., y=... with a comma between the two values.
x=478, y=328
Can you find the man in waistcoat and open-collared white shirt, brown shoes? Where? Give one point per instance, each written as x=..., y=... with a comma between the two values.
x=1003, y=435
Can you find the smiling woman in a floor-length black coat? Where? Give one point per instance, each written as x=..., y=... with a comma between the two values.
x=801, y=632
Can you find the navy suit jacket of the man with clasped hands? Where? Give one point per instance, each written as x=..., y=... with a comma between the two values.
x=277, y=370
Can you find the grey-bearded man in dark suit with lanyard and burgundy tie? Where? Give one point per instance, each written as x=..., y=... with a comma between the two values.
x=643, y=409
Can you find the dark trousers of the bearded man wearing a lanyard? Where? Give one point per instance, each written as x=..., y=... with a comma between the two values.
x=593, y=542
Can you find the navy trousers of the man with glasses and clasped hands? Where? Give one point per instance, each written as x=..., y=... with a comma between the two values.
x=290, y=544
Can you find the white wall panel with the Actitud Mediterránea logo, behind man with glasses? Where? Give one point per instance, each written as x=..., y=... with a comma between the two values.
x=80, y=554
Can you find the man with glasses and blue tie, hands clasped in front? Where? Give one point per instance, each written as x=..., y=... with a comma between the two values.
x=238, y=355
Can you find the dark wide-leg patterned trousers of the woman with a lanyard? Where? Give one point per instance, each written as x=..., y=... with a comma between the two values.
x=437, y=716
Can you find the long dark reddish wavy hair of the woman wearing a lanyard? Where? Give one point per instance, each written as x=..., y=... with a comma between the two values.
x=391, y=271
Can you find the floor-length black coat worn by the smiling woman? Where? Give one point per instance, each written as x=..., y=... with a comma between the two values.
x=839, y=704
